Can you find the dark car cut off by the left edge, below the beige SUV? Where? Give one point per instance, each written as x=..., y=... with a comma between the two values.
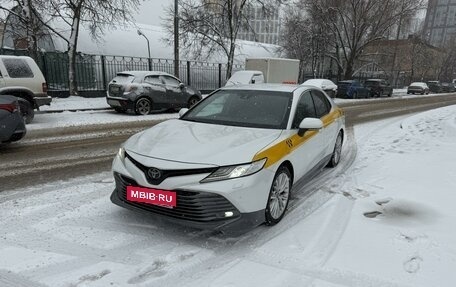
x=12, y=126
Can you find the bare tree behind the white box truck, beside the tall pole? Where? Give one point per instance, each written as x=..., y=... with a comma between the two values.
x=209, y=26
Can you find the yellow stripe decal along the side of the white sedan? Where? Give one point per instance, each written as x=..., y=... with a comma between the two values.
x=278, y=151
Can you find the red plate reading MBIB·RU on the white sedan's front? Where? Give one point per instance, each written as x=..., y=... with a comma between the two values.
x=153, y=196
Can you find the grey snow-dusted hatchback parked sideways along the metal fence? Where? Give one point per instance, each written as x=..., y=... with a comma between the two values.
x=144, y=91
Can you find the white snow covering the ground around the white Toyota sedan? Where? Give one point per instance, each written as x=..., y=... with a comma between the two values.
x=385, y=219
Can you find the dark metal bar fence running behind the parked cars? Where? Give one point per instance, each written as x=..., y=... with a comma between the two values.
x=93, y=72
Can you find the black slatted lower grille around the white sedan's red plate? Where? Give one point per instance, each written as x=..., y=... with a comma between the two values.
x=191, y=205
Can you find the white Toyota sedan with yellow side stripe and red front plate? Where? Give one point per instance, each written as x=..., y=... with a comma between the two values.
x=231, y=160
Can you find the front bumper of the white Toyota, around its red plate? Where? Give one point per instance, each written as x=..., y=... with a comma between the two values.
x=236, y=204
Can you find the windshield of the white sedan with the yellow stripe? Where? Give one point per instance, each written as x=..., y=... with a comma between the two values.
x=246, y=108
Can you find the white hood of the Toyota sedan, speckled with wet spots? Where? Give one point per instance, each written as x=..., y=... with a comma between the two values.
x=191, y=142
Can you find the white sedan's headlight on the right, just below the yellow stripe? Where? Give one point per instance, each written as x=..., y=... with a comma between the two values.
x=235, y=171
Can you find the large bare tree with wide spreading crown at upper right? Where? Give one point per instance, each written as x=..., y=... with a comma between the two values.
x=354, y=24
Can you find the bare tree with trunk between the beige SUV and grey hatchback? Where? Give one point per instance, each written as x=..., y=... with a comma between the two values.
x=96, y=15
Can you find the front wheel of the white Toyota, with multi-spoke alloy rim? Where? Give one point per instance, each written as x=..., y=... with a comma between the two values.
x=279, y=196
